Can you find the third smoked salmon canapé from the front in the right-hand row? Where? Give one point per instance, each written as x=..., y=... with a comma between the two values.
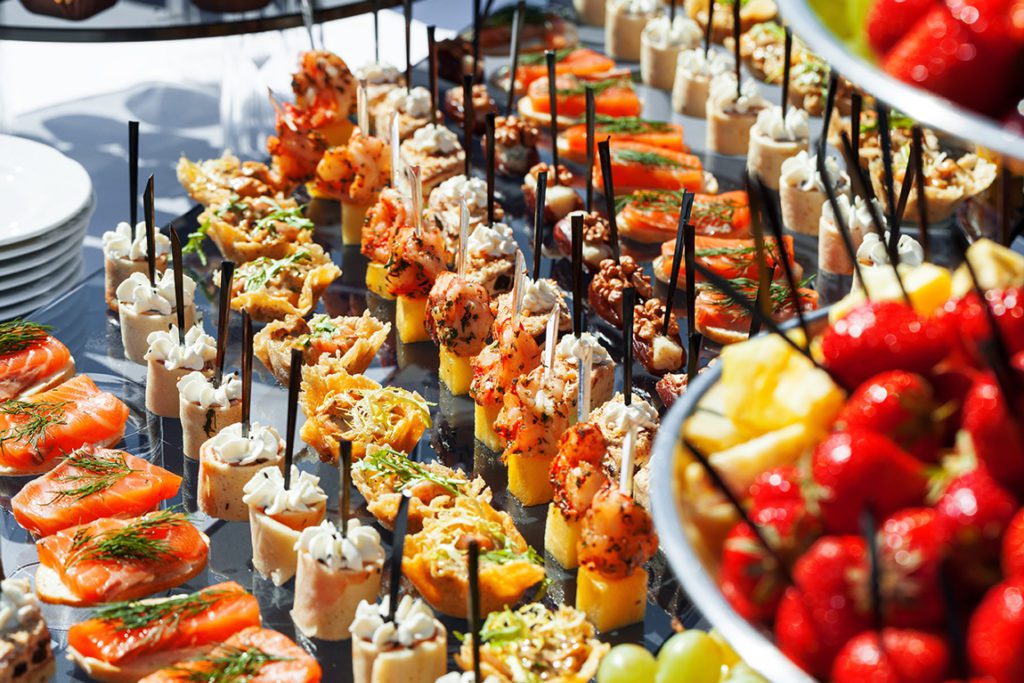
x=653, y=216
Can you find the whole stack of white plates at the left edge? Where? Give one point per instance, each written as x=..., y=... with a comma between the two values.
x=46, y=205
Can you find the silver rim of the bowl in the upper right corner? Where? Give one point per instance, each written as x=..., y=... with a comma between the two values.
x=917, y=103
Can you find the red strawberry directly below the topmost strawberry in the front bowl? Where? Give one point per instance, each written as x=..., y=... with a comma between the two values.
x=902, y=406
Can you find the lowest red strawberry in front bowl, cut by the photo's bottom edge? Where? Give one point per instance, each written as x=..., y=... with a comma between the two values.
x=907, y=657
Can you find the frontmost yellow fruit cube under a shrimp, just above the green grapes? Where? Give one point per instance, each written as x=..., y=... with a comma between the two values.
x=610, y=603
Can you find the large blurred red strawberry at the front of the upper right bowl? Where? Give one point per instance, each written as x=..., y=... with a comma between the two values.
x=962, y=50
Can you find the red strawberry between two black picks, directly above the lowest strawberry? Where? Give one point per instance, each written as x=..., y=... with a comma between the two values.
x=912, y=545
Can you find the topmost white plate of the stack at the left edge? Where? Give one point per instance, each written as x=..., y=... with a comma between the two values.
x=40, y=189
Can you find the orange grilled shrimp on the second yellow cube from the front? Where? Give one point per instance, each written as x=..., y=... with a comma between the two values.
x=576, y=474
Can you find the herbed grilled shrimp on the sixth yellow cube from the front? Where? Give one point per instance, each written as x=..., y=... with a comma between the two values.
x=416, y=261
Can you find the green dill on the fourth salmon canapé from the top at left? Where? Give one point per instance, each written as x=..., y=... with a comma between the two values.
x=135, y=542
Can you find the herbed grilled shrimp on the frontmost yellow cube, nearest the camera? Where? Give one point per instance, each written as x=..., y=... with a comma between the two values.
x=618, y=535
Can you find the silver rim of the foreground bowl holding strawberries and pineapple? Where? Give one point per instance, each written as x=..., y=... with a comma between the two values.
x=750, y=643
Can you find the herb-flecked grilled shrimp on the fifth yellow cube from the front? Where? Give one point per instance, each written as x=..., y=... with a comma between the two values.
x=460, y=317
